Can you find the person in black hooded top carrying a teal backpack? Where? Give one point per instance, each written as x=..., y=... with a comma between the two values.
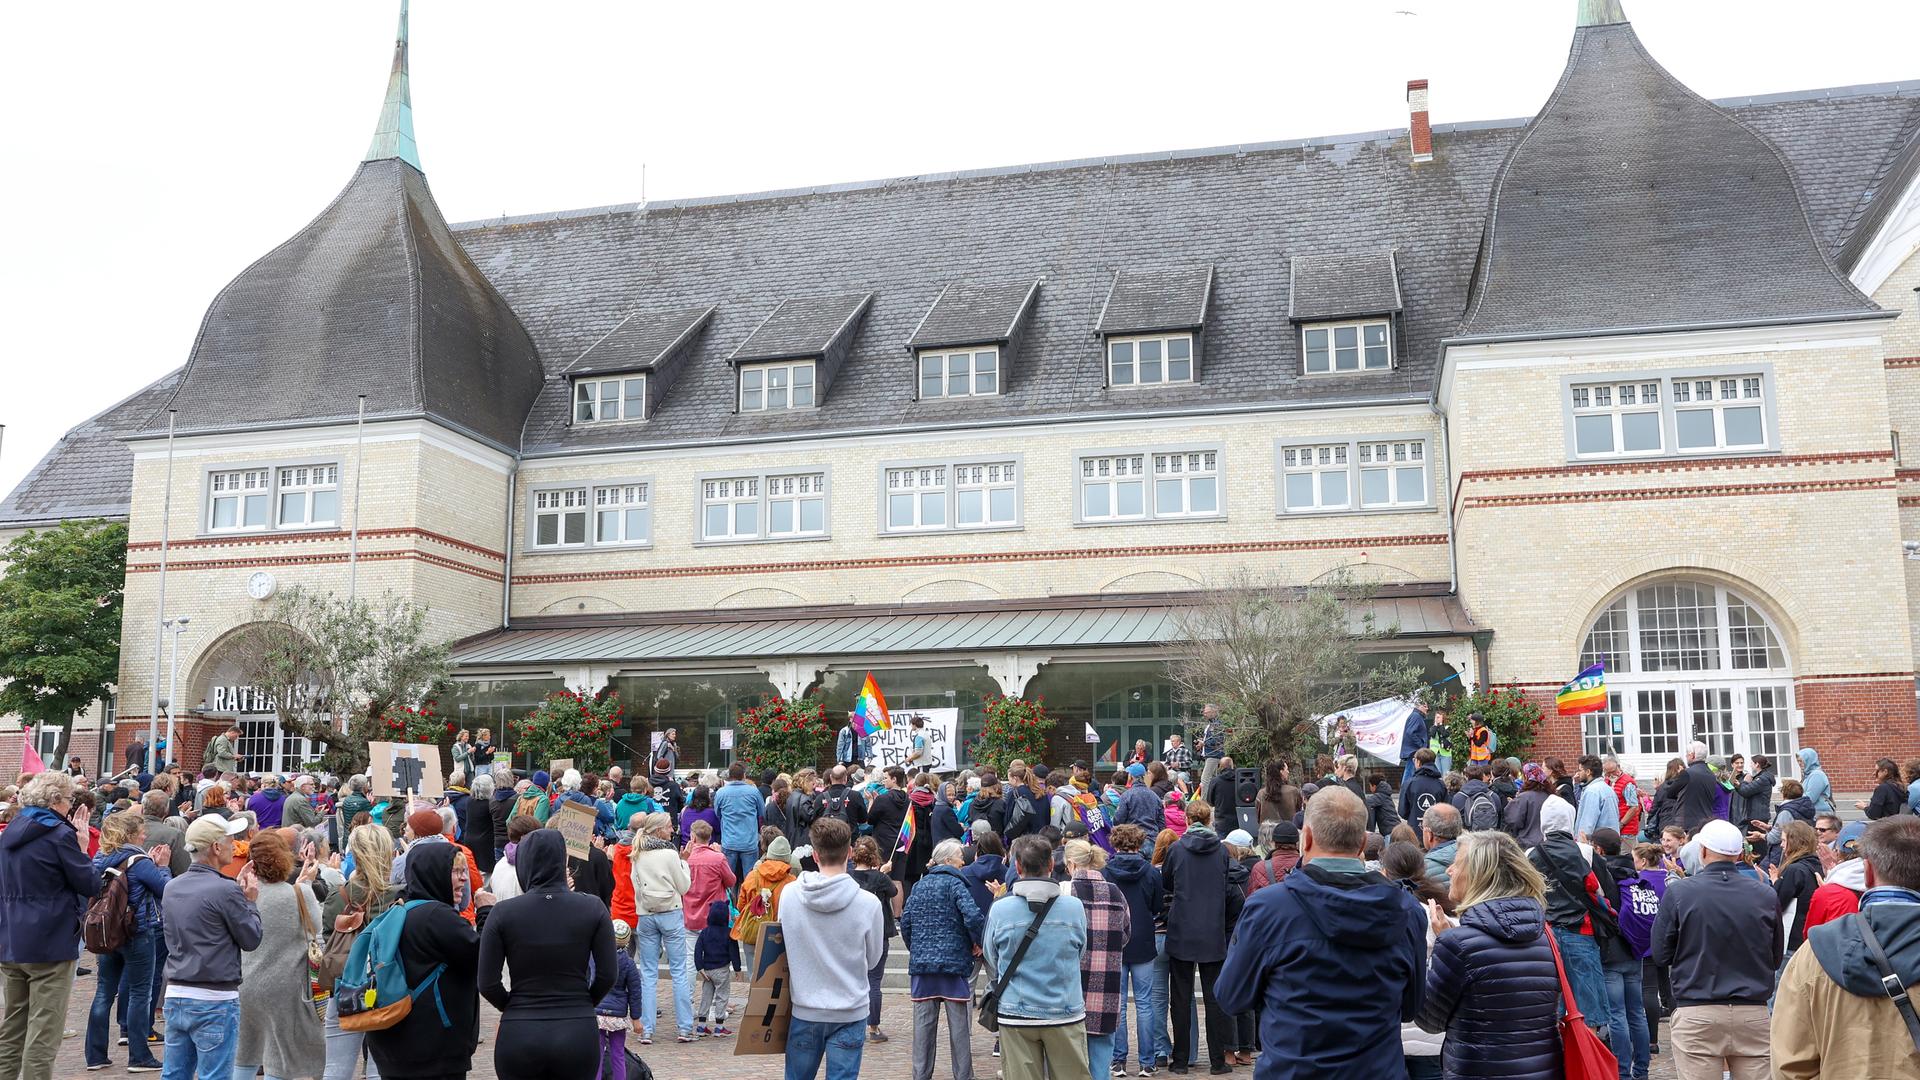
x=439, y=958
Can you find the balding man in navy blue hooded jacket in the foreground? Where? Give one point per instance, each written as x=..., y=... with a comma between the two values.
x=1333, y=958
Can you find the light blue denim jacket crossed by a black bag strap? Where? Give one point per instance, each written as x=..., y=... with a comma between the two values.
x=1047, y=987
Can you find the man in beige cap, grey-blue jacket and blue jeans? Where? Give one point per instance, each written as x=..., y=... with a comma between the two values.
x=208, y=921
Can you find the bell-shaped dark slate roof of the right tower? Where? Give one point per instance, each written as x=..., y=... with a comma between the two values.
x=1631, y=203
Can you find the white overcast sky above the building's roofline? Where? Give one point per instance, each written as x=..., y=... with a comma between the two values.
x=155, y=151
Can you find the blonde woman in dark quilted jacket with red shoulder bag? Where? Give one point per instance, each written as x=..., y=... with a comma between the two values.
x=1493, y=985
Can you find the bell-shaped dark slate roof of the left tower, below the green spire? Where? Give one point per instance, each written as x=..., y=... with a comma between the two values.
x=373, y=297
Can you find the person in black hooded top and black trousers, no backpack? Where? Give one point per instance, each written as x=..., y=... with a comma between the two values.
x=558, y=946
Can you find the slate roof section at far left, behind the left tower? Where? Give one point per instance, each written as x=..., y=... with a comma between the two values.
x=89, y=472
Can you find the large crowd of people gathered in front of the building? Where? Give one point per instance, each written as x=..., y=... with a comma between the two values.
x=1097, y=921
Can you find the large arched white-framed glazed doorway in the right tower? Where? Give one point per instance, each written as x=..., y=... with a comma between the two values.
x=1689, y=660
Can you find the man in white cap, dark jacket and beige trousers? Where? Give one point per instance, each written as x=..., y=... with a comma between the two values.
x=1721, y=935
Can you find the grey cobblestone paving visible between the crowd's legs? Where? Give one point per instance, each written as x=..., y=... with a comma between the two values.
x=708, y=1060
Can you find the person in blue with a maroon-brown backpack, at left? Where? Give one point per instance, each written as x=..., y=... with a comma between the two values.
x=124, y=923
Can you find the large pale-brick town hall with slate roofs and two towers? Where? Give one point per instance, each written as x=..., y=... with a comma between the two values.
x=1623, y=381
